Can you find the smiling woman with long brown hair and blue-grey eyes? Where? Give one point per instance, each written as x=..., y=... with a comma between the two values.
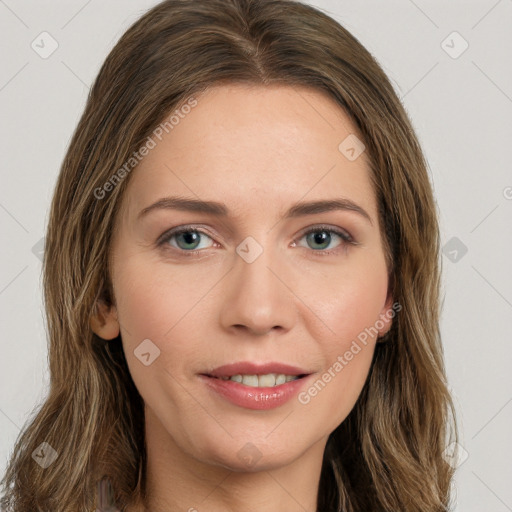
x=205, y=352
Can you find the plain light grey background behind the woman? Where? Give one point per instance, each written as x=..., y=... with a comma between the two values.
x=460, y=105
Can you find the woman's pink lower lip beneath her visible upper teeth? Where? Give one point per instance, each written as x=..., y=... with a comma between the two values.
x=253, y=397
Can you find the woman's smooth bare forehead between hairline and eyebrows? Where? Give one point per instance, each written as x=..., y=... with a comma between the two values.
x=247, y=144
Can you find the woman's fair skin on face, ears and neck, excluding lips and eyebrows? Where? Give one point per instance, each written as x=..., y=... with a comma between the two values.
x=258, y=150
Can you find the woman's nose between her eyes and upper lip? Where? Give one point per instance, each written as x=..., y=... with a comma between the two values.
x=258, y=297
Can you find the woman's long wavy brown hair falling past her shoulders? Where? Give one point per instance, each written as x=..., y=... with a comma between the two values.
x=388, y=453
